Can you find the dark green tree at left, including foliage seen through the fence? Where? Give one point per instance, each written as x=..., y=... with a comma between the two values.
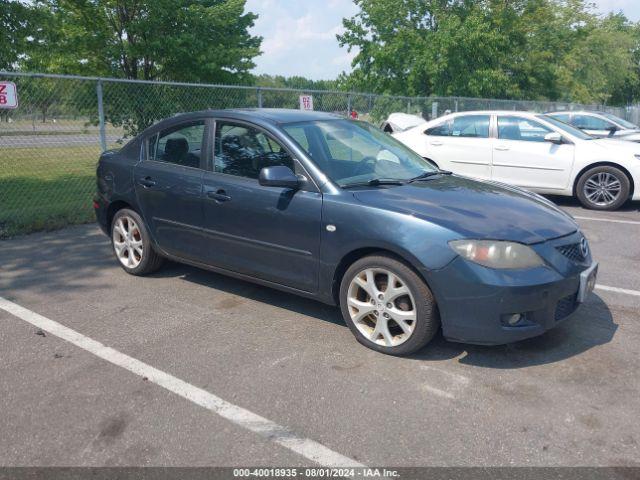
x=202, y=41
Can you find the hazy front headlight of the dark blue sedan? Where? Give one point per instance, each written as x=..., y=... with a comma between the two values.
x=495, y=254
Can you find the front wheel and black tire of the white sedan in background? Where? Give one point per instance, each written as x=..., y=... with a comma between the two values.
x=603, y=188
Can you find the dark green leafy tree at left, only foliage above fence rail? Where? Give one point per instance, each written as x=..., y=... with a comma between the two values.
x=181, y=40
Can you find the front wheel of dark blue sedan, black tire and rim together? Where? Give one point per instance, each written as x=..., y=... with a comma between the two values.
x=387, y=306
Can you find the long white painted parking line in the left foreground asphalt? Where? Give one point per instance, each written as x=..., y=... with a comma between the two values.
x=309, y=449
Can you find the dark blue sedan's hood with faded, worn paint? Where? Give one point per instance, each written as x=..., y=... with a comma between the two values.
x=474, y=209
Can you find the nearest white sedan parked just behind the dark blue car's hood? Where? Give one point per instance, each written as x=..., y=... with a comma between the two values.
x=532, y=151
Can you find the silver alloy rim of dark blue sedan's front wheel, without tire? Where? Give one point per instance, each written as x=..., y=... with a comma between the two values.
x=382, y=307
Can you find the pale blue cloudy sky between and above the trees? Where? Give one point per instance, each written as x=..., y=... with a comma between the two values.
x=300, y=35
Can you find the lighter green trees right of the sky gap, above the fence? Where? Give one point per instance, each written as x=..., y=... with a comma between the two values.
x=557, y=50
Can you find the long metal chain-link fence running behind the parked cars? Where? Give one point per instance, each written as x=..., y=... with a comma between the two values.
x=49, y=145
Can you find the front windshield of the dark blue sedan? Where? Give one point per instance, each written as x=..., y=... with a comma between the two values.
x=352, y=152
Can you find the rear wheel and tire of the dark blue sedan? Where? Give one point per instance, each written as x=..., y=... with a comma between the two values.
x=132, y=244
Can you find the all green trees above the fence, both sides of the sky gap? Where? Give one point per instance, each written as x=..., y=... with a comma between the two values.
x=558, y=50
